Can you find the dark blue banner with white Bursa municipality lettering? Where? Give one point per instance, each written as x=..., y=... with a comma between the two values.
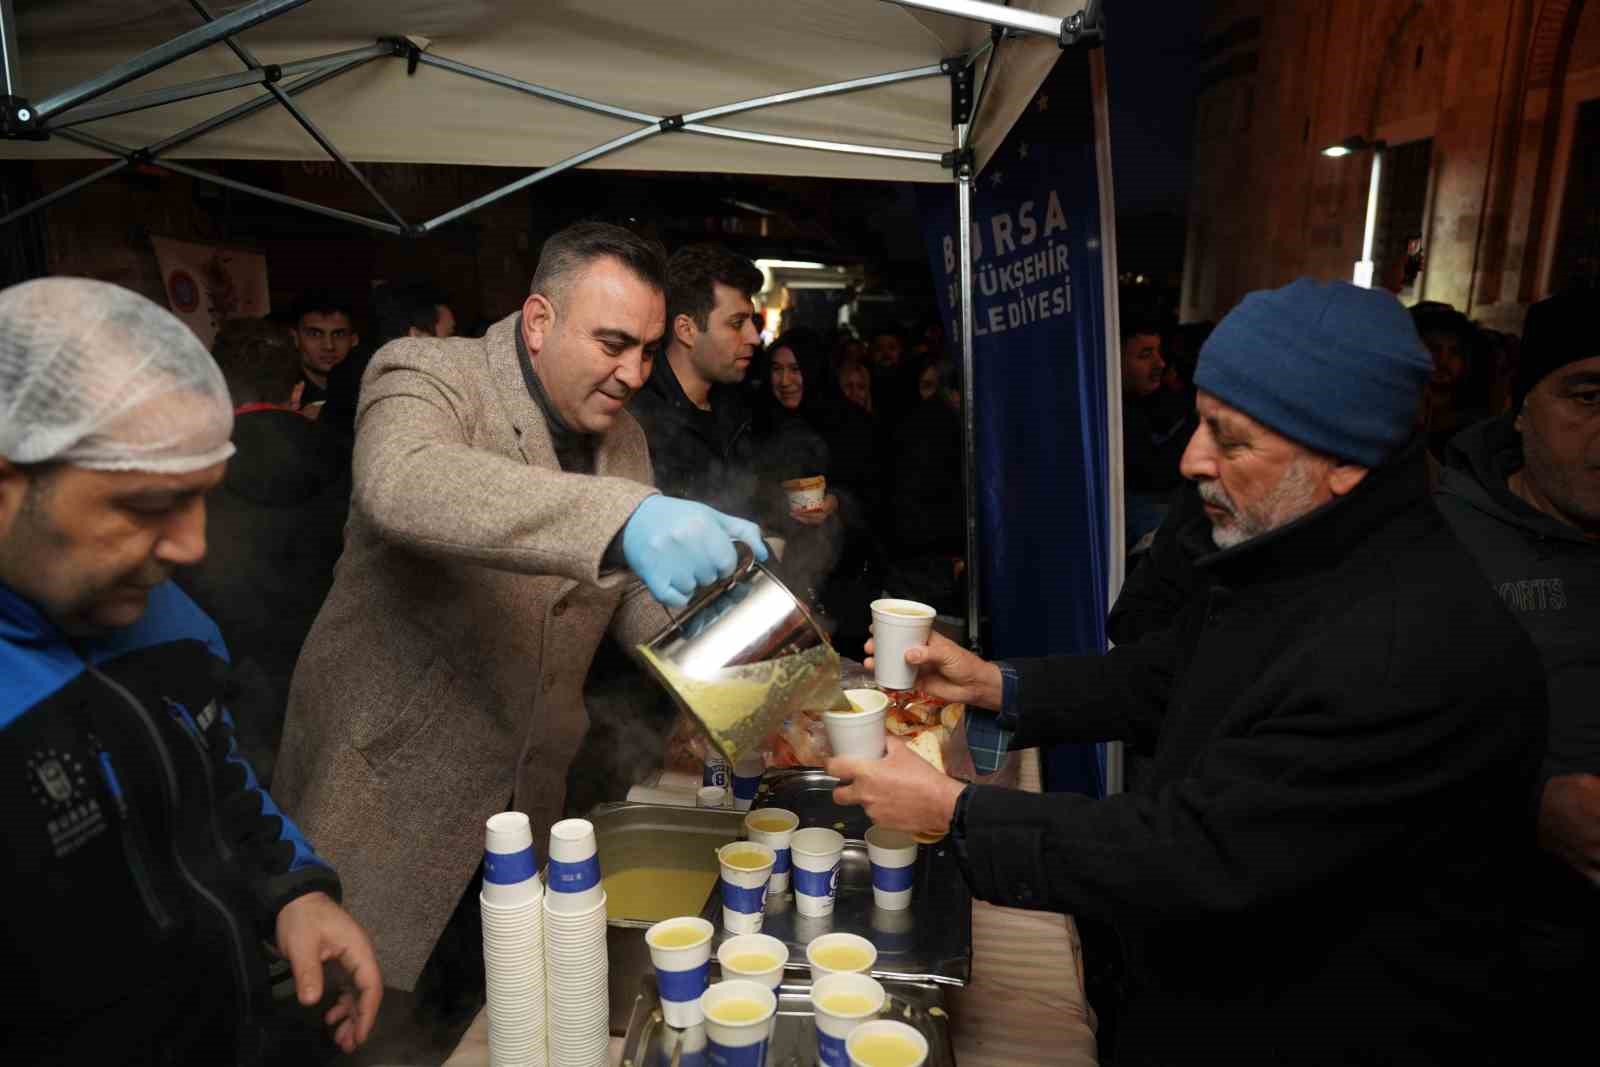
x=1039, y=346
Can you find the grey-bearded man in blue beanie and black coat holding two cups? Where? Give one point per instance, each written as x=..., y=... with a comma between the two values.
x=1346, y=727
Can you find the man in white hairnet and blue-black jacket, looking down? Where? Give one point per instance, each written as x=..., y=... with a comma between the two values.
x=146, y=863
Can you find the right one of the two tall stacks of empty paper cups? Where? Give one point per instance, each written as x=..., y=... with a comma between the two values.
x=575, y=956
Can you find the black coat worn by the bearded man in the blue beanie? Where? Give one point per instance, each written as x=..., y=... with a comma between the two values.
x=1346, y=730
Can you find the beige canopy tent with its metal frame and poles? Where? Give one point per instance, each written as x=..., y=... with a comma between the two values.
x=898, y=90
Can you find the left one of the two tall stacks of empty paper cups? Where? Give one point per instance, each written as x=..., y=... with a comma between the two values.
x=513, y=905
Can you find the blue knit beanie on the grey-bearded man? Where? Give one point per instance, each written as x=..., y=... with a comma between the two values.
x=1326, y=364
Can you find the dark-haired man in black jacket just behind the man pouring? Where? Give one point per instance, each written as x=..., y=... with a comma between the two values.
x=694, y=409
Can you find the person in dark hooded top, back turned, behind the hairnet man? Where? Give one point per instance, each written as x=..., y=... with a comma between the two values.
x=276, y=526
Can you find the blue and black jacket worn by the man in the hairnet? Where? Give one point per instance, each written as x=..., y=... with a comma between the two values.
x=145, y=860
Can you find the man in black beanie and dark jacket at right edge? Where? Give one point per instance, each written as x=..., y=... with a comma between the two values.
x=1522, y=492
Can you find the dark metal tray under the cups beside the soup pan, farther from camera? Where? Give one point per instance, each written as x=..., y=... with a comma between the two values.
x=932, y=941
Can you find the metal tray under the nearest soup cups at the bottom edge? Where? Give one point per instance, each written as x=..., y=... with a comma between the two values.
x=650, y=1042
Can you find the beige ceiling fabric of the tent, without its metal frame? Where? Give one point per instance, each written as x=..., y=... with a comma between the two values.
x=655, y=57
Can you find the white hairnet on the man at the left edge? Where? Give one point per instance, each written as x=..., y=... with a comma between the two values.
x=98, y=377
